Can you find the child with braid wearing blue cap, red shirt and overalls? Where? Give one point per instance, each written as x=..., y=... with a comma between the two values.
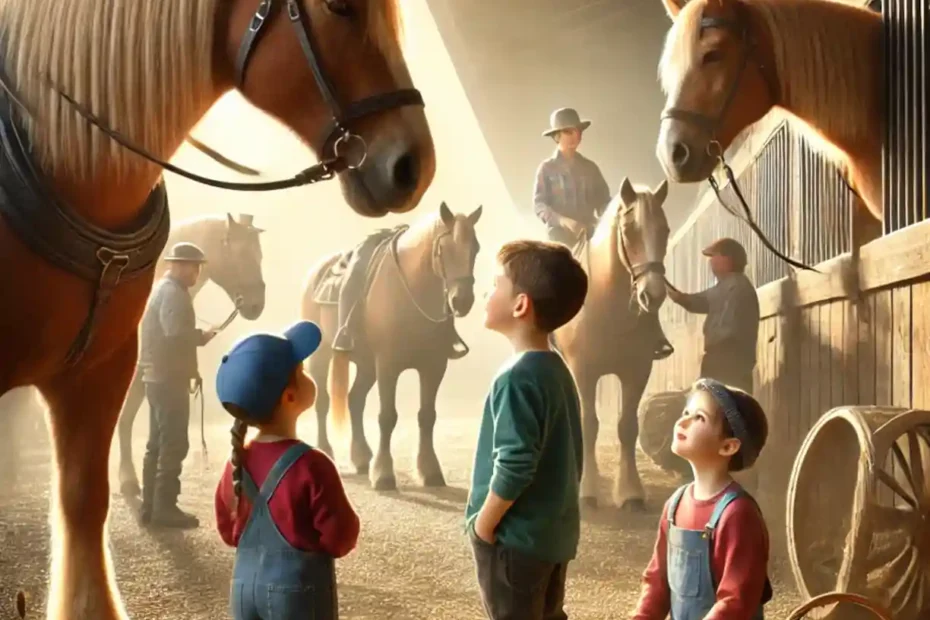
x=280, y=503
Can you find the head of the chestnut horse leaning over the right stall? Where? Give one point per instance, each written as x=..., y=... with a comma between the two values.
x=712, y=73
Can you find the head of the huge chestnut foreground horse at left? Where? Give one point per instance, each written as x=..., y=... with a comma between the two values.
x=334, y=72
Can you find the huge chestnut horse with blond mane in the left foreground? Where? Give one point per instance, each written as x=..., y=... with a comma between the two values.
x=150, y=69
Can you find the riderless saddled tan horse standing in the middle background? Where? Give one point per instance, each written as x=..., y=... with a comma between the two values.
x=413, y=291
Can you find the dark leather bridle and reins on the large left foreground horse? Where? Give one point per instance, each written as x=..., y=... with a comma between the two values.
x=326, y=169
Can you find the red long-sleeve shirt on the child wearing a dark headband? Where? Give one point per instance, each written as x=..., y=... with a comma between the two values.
x=739, y=559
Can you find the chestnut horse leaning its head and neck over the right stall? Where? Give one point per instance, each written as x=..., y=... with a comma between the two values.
x=726, y=63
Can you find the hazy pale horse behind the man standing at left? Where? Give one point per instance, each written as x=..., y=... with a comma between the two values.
x=234, y=263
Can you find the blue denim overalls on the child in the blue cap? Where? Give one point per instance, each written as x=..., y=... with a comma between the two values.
x=271, y=579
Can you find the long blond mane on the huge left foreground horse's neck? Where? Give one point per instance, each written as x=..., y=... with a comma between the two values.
x=121, y=60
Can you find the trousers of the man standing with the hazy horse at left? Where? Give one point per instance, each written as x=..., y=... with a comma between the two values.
x=169, y=416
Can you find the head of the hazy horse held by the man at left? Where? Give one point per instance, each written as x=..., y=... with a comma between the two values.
x=238, y=268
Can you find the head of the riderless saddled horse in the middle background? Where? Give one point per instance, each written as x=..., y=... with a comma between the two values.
x=454, y=251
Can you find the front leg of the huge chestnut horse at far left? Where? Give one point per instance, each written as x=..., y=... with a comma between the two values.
x=83, y=409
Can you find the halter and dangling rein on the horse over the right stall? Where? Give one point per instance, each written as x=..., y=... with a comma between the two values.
x=710, y=125
